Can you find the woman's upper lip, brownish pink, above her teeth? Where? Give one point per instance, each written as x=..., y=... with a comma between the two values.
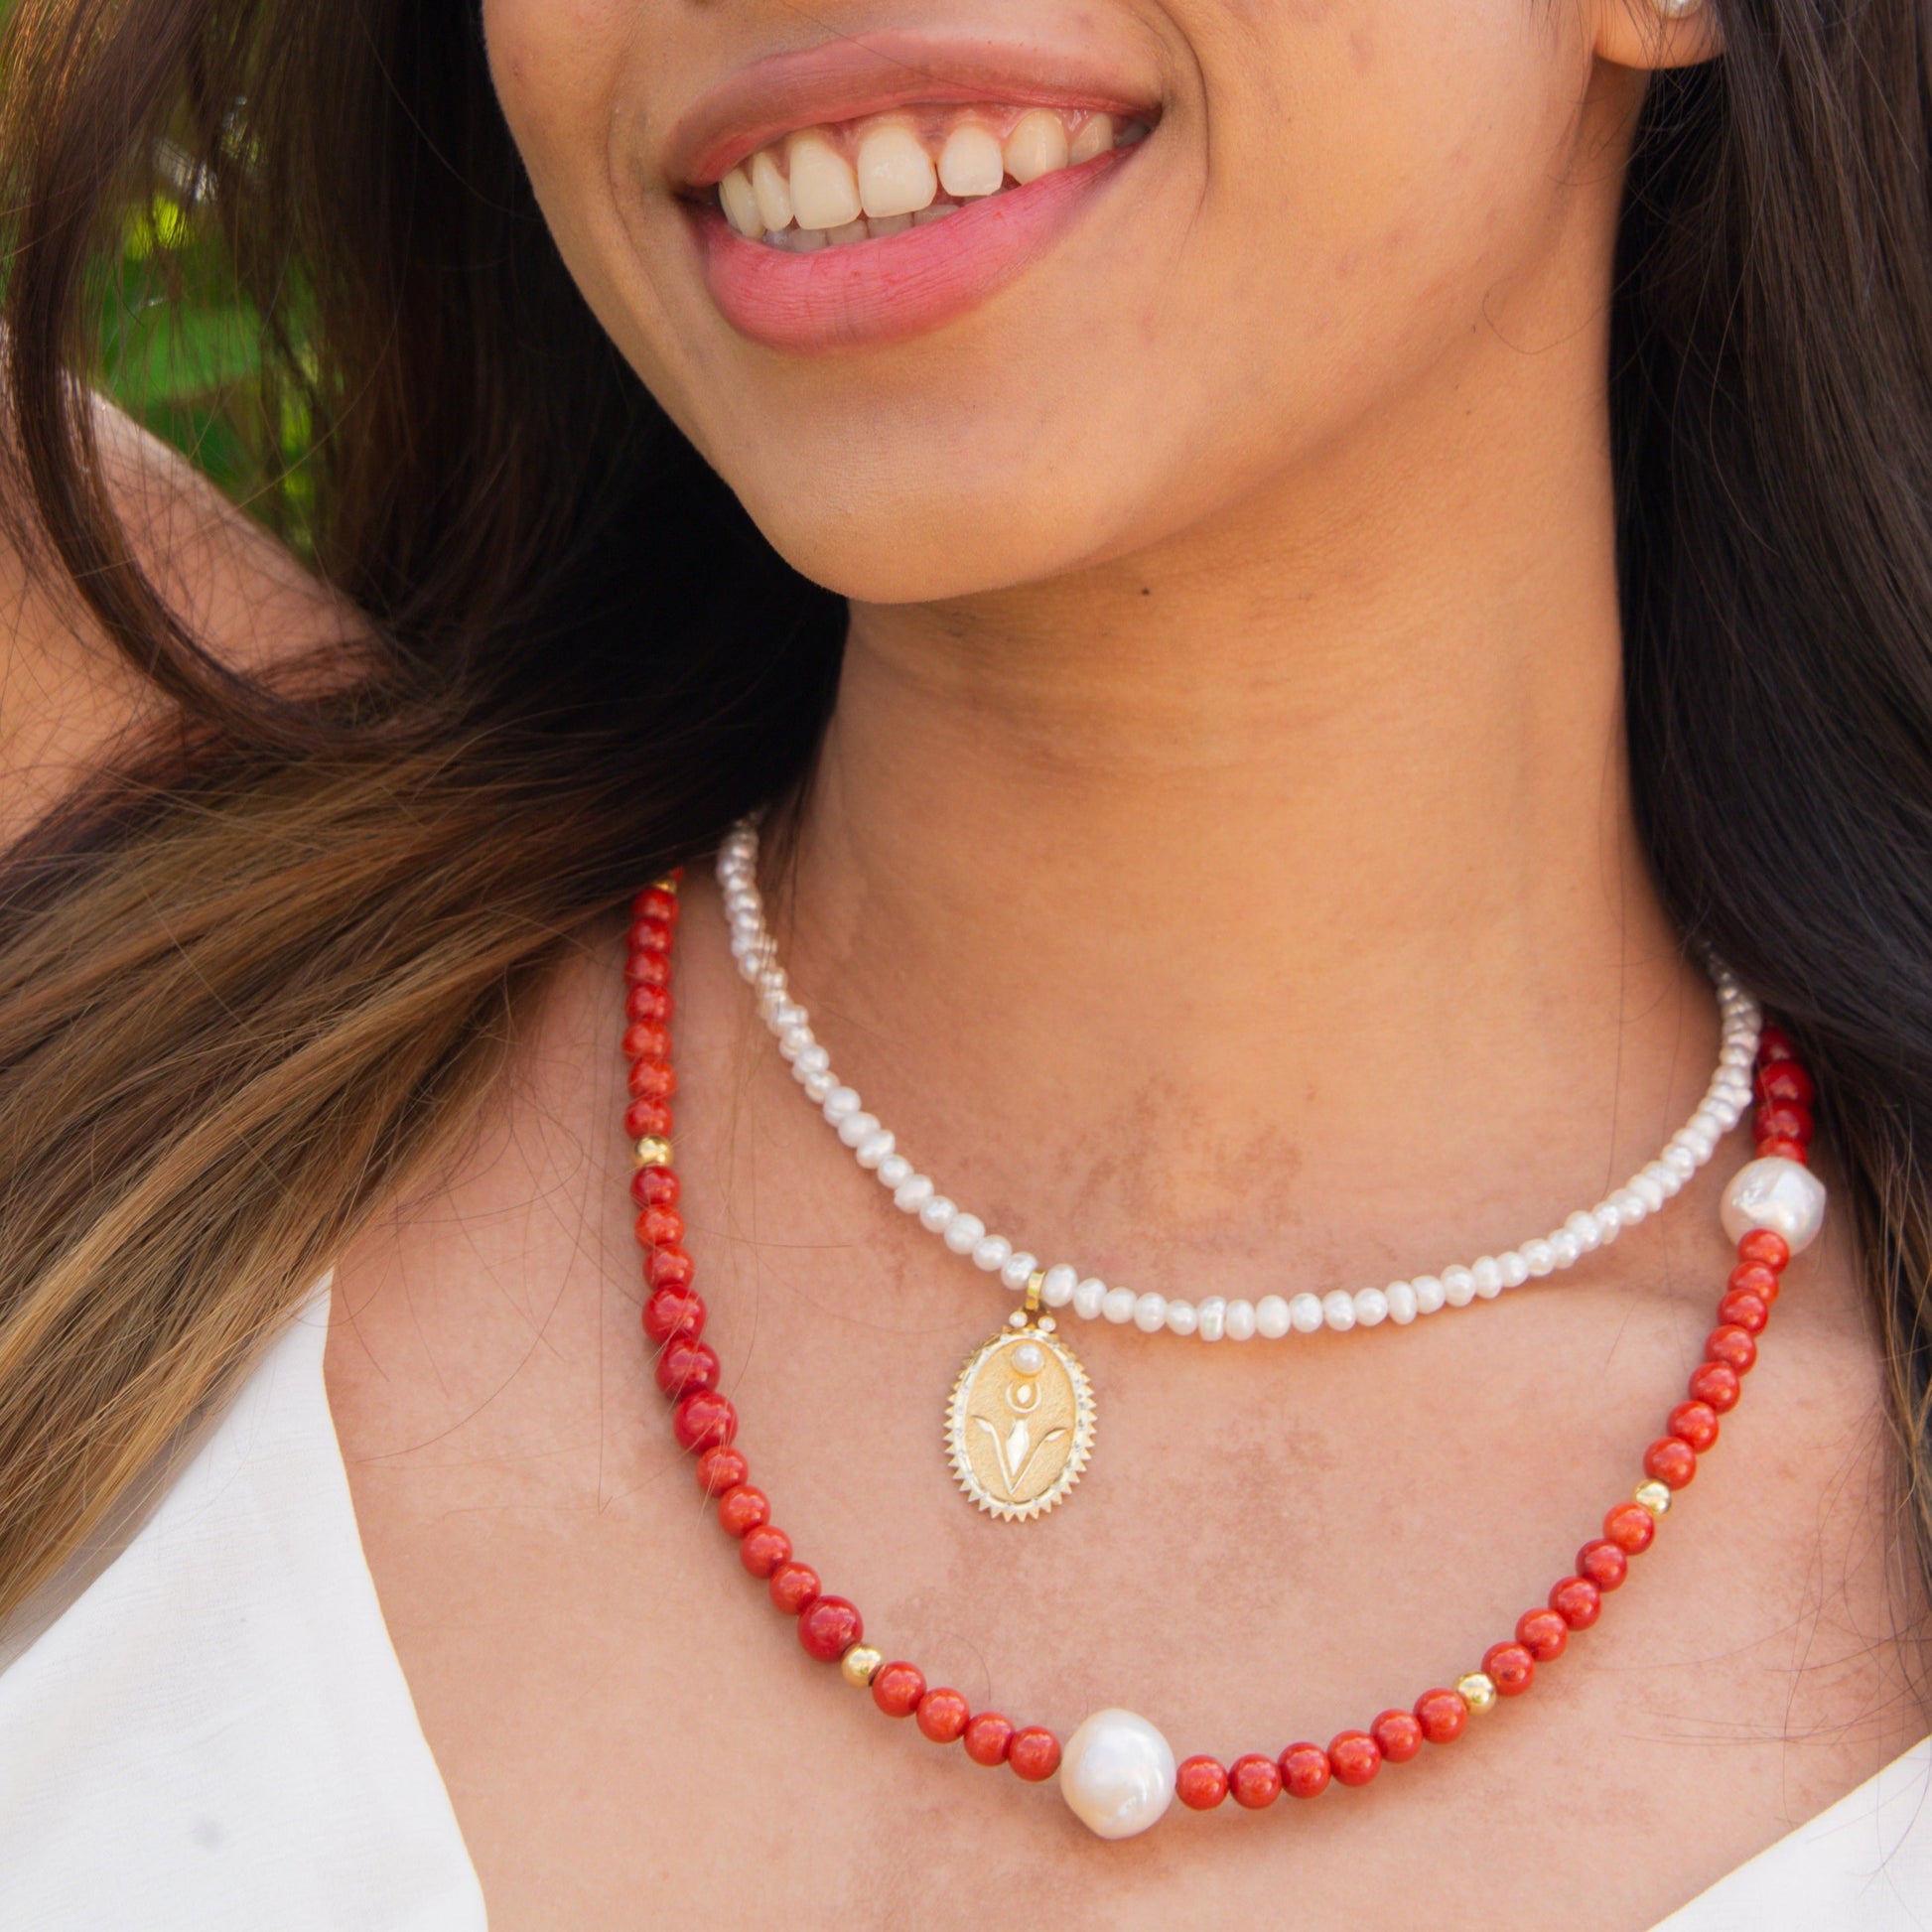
x=870, y=74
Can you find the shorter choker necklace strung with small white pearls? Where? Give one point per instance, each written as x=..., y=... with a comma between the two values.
x=1214, y=1317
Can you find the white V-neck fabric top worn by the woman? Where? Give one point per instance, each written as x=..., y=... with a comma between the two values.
x=213, y=1732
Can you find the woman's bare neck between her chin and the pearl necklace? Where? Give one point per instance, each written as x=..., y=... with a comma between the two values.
x=1288, y=857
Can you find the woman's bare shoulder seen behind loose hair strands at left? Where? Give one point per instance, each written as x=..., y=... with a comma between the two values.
x=71, y=702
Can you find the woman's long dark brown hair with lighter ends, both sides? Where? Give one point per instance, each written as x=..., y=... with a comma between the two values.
x=248, y=984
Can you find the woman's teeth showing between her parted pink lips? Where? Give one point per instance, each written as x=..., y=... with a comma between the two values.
x=867, y=181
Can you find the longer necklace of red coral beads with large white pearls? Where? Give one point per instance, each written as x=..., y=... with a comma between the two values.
x=1118, y=1773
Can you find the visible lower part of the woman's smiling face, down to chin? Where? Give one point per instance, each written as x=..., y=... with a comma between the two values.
x=1226, y=237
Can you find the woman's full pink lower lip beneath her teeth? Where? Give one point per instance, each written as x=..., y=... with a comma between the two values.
x=863, y=295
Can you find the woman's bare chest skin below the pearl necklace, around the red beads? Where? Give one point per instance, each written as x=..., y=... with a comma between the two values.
x=1268, y=1547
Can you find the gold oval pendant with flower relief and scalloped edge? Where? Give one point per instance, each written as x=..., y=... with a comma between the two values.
x=1021, y=1423
